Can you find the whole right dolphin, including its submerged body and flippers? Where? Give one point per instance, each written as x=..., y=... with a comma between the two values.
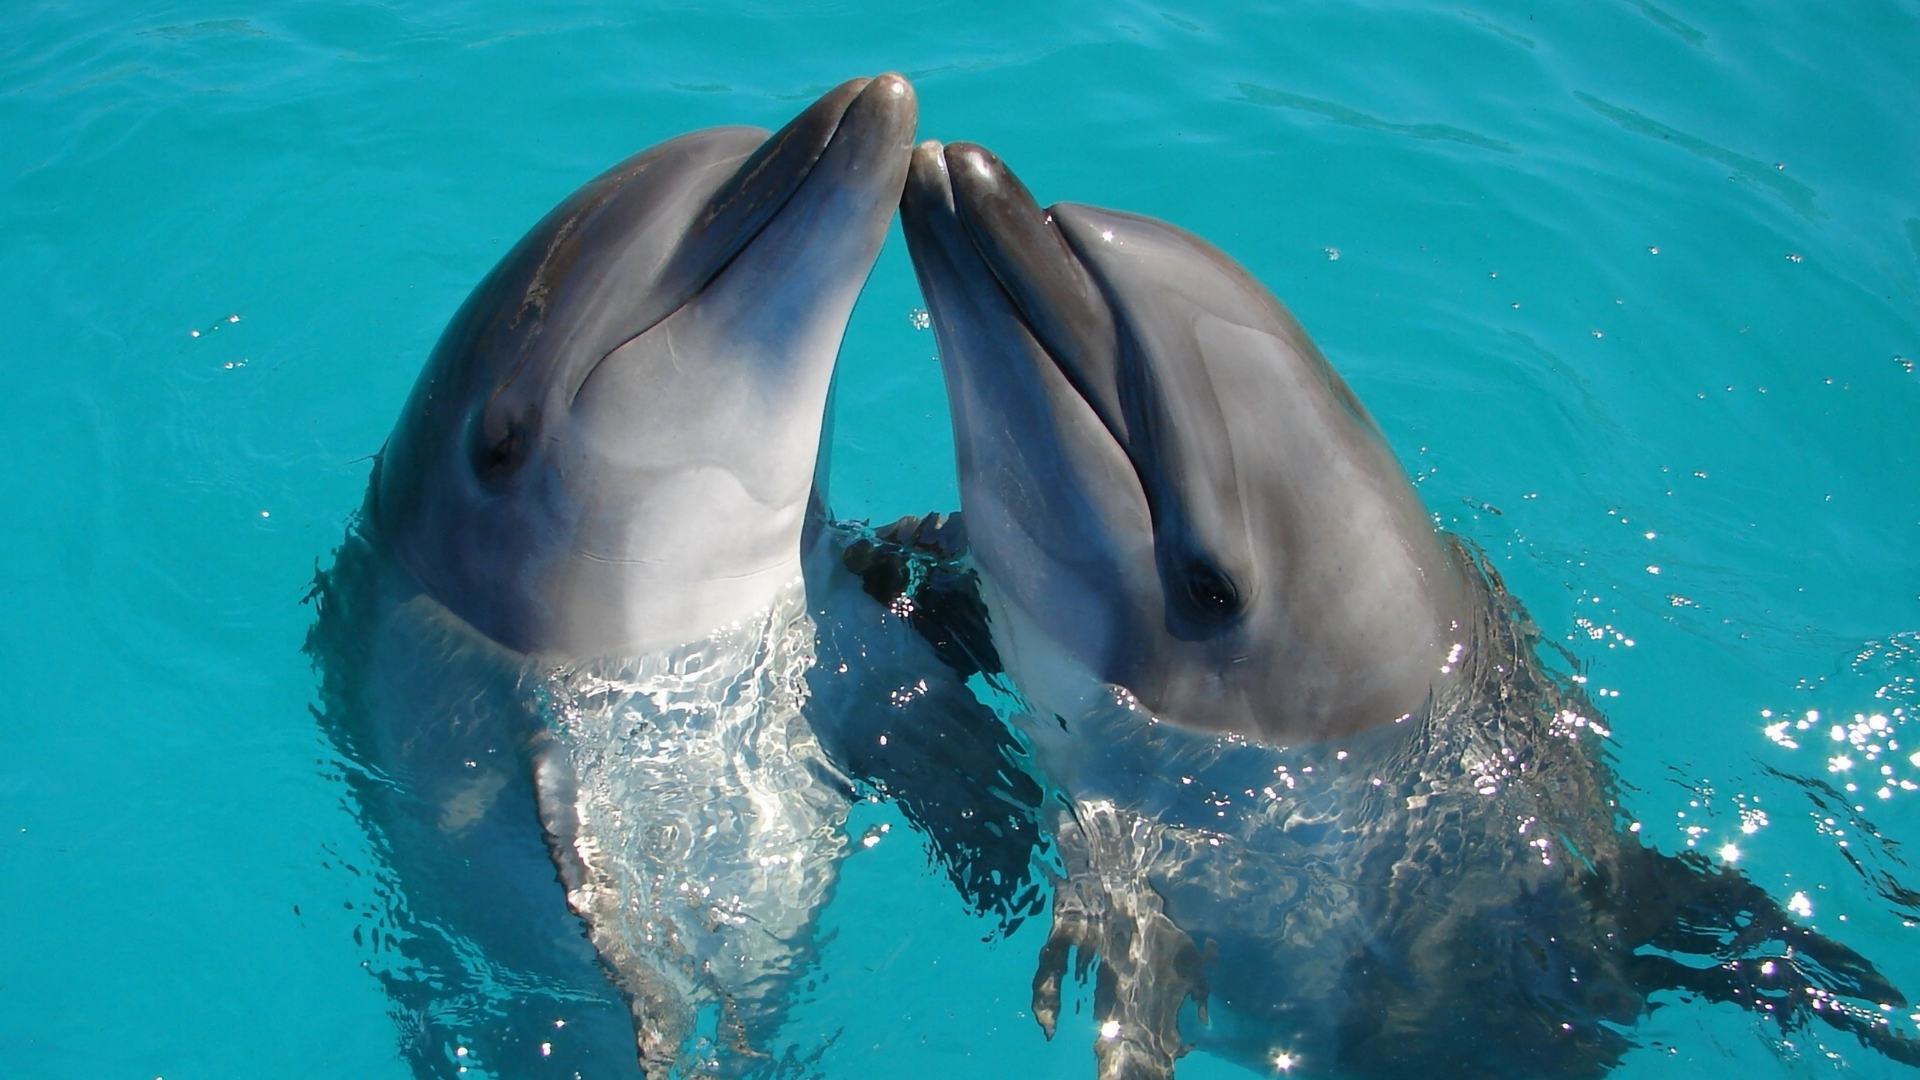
x=1310, y=773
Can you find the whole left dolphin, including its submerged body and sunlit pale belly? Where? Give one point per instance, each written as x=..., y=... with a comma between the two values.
x=569, y=629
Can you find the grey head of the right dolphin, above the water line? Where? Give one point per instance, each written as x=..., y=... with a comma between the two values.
x=1166, y=485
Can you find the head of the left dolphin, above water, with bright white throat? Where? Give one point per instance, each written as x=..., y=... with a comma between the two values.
x=613, y=445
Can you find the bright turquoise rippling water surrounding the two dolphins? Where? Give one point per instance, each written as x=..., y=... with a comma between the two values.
x=1633, y=289
